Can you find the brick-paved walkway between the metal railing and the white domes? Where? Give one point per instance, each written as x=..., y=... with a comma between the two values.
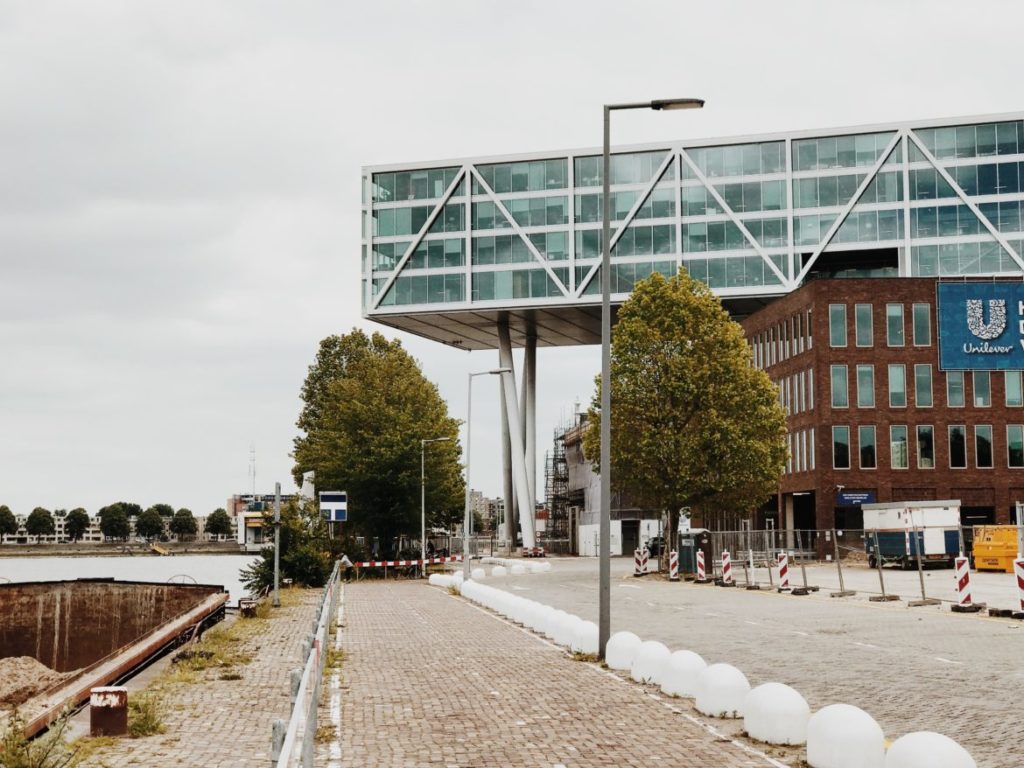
x=434, y=680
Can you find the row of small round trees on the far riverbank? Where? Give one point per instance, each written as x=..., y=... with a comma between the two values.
x=115, y=523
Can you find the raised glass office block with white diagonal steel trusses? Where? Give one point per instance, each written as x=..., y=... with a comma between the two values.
x=449, y=246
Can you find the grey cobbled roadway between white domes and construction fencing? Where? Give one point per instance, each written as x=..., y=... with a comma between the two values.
x=912, y=668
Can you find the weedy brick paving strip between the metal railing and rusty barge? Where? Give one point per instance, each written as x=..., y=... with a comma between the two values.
x=218, y=723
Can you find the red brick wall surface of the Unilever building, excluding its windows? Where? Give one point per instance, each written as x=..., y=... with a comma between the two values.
x=791, y=342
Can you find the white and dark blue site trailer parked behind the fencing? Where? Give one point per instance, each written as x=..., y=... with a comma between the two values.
x=900, y=533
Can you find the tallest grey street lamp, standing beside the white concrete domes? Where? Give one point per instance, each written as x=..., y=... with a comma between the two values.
x=605, y=574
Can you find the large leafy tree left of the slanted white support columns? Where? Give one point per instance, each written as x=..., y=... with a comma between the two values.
x=367, y=407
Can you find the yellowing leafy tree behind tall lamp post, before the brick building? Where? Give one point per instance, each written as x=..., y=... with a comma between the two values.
x=694, y=423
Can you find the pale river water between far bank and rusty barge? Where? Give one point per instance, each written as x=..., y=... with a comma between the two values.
x=220, y=570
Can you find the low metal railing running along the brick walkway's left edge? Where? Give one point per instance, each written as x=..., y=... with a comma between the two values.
x=294, y=744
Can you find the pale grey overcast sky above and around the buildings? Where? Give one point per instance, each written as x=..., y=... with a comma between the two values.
x=180, y=190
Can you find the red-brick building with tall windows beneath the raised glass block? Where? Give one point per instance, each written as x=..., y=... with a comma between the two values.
x=873, y=417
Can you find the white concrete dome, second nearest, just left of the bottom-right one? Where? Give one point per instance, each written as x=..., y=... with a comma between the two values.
x=845, y=737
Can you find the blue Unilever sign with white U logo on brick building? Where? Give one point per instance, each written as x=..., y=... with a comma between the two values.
x=982, y=326
